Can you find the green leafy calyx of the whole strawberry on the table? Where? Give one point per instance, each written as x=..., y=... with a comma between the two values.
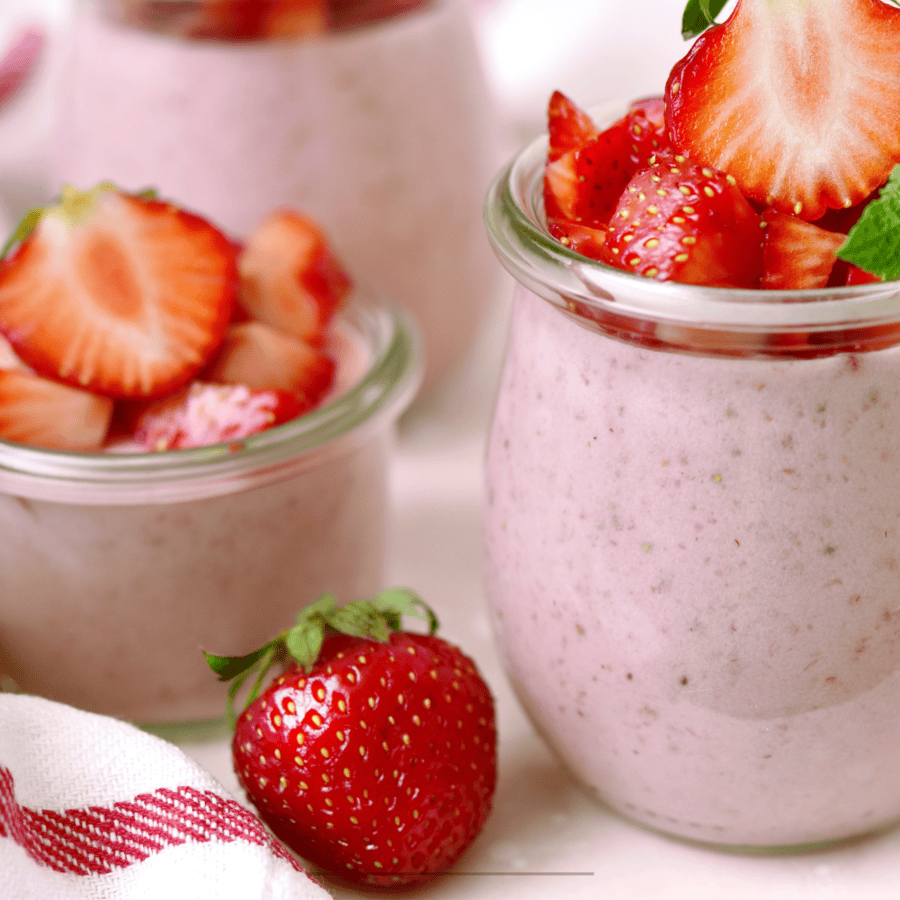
x=375, y=619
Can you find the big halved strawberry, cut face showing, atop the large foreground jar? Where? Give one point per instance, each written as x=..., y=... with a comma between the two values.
x=797, y=100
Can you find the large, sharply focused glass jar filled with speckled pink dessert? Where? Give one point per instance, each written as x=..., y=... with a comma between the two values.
x=692, y=530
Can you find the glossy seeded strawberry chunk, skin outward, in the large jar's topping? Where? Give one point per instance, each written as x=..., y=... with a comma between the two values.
x=683, y=222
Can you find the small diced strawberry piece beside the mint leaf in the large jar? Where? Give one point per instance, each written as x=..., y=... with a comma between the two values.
x=797, y=255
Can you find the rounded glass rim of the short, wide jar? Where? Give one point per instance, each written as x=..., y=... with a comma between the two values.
x=371, y=404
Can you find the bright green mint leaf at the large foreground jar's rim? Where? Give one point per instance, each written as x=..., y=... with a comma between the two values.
x=873, y=243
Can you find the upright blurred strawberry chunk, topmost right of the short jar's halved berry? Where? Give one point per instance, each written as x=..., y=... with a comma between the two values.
x=290, y=277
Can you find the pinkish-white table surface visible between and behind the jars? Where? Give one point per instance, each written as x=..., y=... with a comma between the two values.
x=545, y=837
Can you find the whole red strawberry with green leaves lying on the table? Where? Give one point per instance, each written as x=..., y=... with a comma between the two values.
x=373, y=754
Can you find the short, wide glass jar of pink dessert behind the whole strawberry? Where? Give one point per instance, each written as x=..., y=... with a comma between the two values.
x=118, y=569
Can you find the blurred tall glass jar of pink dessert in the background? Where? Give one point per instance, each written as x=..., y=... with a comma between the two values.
x=372, y=116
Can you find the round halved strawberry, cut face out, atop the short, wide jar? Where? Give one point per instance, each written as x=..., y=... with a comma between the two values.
x=121, y=295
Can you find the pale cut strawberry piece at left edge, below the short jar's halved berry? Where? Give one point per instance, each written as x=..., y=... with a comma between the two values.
x=44, y=413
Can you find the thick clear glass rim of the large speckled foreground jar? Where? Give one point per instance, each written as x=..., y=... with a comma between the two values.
x=514, y=218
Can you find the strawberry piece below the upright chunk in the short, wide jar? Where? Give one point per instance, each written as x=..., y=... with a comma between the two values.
x=259, y=356
